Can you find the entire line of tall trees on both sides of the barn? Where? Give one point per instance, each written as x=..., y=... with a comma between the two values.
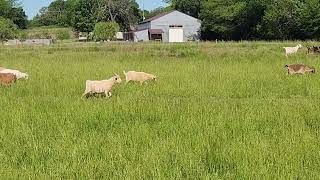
x=221, y=19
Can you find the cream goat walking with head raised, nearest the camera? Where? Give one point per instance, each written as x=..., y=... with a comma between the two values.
x=100, y=87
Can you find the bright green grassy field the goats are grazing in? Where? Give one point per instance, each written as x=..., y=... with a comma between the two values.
x=218, y=111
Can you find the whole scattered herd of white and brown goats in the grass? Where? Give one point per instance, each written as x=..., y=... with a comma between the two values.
x=9, y=76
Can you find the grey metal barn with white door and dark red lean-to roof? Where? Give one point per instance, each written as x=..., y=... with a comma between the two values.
x=173, y=26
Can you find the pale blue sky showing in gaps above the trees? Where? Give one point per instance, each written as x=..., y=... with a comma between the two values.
x=32, y=7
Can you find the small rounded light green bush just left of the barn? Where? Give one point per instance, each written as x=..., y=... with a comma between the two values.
x=106, y=30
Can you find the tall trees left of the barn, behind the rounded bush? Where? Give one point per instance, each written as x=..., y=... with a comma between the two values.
x=82, y=15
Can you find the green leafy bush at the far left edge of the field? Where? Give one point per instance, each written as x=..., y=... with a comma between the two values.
x=8, y=29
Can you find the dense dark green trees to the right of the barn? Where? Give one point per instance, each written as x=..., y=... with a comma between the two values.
x=254, y=19
